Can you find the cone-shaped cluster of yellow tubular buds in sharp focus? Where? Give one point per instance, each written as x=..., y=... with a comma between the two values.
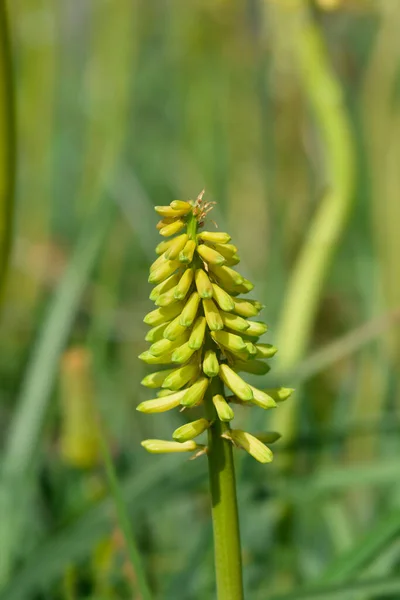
x=201, y=329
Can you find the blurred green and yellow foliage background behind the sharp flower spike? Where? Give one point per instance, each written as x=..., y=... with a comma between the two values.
x=288, y=113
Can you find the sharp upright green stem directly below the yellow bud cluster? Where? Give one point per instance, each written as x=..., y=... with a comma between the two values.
x=227, y=551
